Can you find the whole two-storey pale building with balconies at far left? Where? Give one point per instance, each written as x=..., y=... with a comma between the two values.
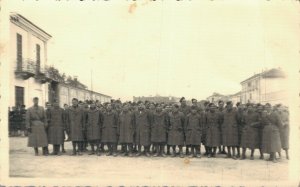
x=28, y=58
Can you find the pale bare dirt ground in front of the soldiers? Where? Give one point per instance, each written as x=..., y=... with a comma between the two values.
x=23, y=163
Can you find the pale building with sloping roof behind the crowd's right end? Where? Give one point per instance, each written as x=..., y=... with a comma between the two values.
x=266, y=87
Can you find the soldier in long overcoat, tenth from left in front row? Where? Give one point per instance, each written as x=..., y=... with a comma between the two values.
x=193, y=131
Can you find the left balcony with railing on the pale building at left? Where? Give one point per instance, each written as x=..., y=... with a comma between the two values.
x=25, y=69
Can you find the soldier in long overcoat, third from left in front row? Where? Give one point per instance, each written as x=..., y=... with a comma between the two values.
x=75, y=125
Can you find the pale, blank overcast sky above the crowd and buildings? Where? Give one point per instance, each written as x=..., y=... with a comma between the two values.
x=188, y=48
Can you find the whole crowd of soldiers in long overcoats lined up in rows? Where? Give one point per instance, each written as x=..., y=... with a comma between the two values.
x=158, y=129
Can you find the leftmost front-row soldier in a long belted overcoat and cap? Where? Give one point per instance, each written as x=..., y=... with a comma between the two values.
x=36, y=123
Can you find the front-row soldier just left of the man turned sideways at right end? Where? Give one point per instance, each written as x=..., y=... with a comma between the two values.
x=250, y=135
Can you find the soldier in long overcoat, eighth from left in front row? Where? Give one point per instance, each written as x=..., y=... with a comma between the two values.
x=159, y=127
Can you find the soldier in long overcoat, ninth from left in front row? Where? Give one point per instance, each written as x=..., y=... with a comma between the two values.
x=176, y=126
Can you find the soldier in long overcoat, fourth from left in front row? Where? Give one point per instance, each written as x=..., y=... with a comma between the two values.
x=93, y=128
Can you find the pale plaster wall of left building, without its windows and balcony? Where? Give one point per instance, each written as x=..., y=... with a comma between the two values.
x=32, y=88
